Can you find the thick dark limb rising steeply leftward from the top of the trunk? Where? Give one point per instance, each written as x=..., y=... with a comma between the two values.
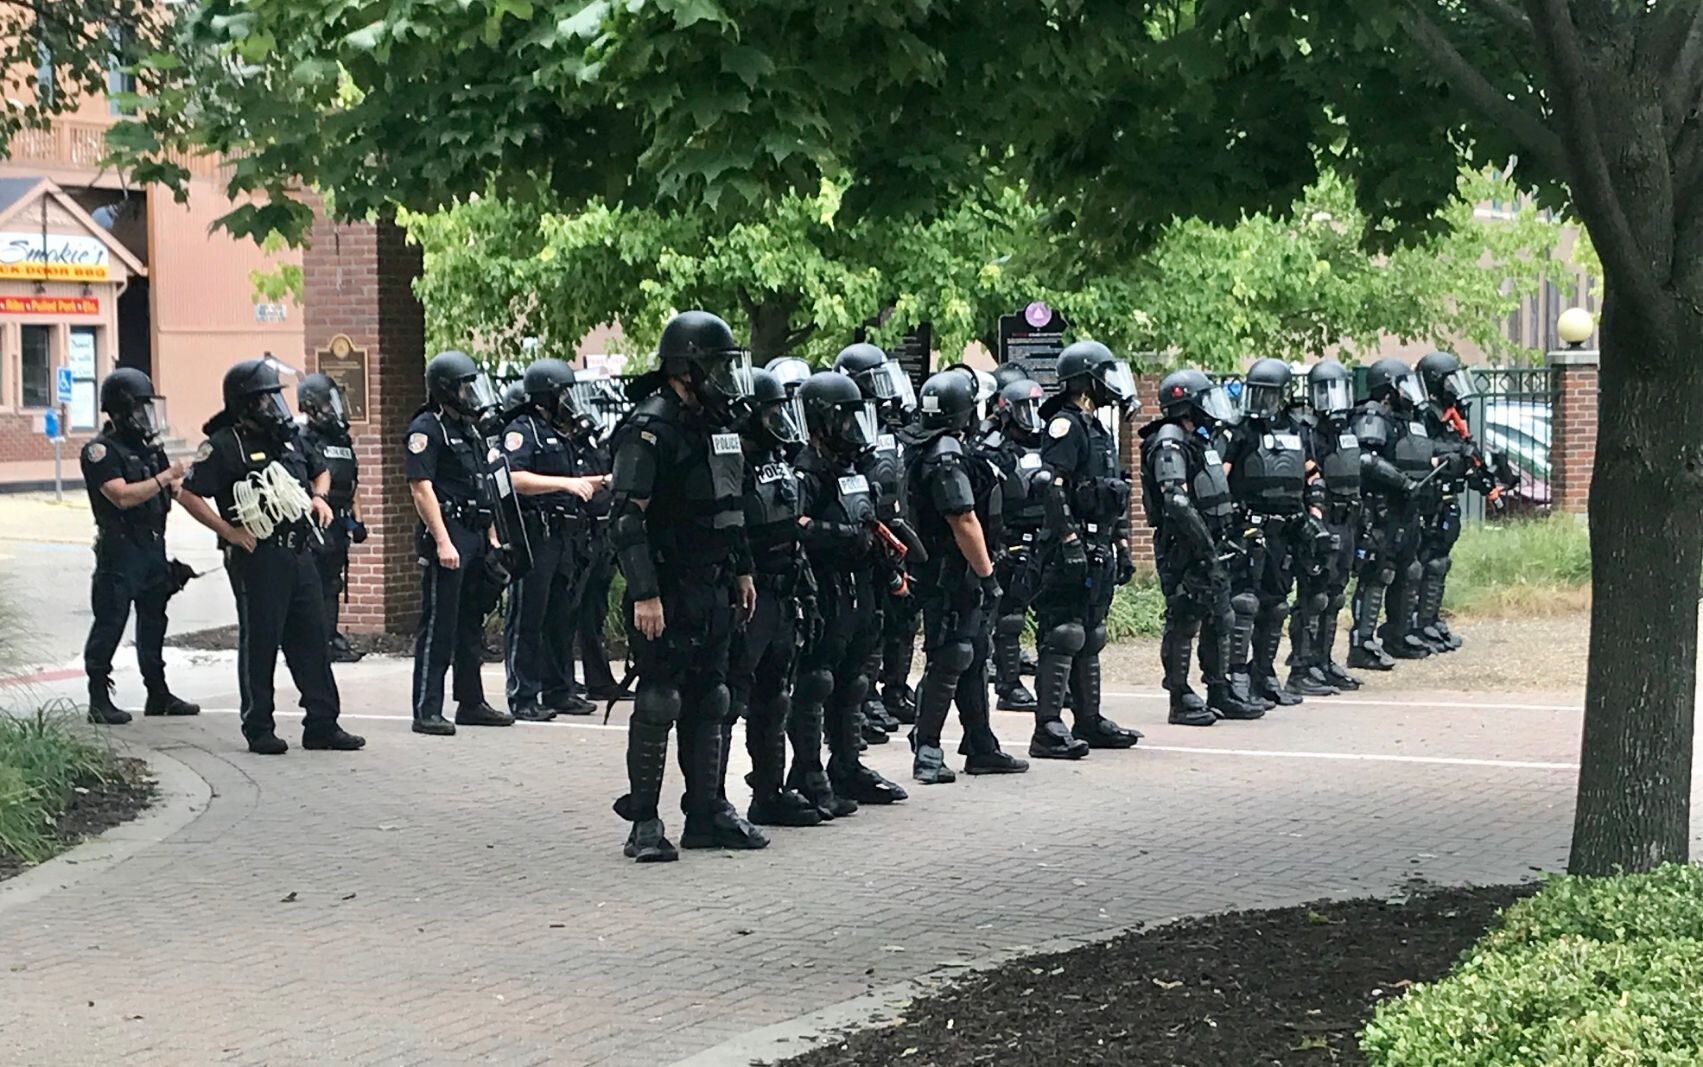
x=1586, y=163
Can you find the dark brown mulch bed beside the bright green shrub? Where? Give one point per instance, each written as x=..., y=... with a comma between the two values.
x=1285, y=988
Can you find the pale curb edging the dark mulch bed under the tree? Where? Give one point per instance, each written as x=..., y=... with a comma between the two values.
x=878, y=1008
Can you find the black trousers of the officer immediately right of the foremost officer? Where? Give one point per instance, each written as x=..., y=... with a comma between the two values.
x=760, y=676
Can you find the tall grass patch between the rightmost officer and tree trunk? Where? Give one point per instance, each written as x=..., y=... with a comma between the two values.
x=1528, y=568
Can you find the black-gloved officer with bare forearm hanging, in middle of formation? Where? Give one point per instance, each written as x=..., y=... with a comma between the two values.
x=958, y=503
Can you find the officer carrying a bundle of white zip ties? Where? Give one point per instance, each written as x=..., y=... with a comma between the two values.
x=270, y=506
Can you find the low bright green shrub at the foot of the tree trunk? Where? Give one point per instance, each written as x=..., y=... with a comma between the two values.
x=1591, y=971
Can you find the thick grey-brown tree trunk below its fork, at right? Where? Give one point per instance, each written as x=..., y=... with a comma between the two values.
x=1646, y=551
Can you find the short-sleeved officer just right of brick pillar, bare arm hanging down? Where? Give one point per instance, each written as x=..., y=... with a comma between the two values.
x=445, y=465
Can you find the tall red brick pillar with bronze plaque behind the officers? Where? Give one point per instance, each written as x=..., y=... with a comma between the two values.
x=358, y=280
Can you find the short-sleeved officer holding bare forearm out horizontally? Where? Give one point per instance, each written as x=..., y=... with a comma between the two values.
x=542, y=615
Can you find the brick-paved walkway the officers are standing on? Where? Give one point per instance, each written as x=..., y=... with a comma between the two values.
x=466, y=901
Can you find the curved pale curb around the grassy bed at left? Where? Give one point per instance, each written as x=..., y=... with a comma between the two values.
x=183, y=797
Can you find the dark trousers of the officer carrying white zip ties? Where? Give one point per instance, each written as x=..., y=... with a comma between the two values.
x=280, y=610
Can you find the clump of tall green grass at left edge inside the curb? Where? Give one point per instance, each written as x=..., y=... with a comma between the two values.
x=43, y=758
